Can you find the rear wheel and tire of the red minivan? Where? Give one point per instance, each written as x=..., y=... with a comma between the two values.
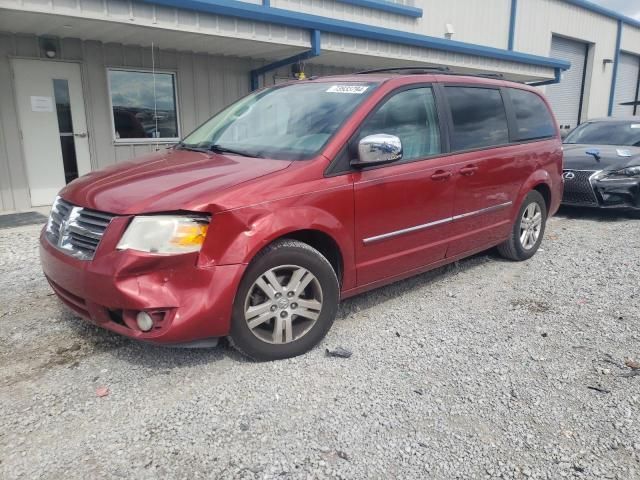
x=514, y=248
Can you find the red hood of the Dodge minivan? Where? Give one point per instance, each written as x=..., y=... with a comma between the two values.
x=165, y=181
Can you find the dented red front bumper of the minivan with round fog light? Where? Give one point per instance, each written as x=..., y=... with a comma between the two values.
x=188, y=302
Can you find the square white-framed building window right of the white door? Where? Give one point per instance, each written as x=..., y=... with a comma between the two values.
x=143, y=106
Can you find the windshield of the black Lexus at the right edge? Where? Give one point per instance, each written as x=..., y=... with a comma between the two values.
x=607, y=133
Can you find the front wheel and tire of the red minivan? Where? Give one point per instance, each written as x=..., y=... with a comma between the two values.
x=269, y=324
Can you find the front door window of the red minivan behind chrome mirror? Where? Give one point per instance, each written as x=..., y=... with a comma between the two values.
x=411, y=116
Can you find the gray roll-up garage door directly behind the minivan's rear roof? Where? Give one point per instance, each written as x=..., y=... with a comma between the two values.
x=566, y=96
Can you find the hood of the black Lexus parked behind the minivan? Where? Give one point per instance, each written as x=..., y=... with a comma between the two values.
x=611, y=157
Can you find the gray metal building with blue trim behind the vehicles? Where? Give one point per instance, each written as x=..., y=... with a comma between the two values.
x=85, y=84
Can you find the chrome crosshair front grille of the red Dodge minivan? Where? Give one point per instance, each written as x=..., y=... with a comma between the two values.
x=75, y=230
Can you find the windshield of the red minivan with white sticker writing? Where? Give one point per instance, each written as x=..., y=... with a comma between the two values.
x=289, y=122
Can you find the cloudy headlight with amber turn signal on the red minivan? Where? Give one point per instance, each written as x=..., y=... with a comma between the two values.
x=165, y=234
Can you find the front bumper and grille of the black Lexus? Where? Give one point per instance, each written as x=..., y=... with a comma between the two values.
x=587, y=189
